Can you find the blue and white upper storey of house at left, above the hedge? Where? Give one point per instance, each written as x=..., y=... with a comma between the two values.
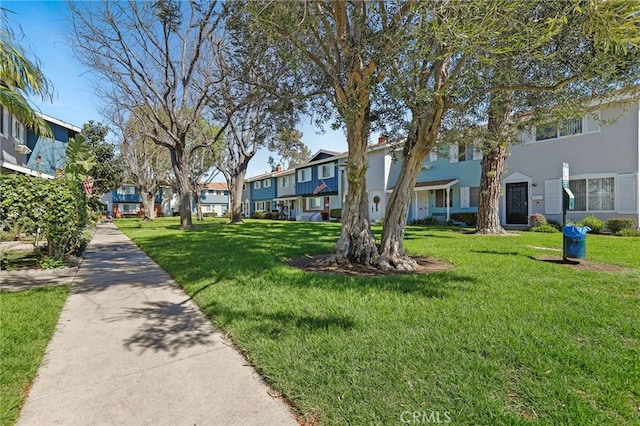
x=23, y=151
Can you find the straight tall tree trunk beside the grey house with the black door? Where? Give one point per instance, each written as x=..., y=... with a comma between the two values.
x=495, y=152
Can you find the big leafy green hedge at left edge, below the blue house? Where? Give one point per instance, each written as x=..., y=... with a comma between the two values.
x=57, y=207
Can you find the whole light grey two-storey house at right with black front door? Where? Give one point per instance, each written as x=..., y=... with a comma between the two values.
x=602, y=150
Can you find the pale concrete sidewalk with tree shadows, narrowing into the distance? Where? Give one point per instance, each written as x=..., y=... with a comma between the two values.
x=132, y=349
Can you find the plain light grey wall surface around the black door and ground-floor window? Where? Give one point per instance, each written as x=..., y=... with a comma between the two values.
x=600, y=151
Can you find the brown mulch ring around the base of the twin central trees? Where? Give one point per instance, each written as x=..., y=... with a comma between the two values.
x=320, y=264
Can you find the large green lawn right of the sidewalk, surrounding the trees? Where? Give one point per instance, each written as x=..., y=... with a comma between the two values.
x=500, y=339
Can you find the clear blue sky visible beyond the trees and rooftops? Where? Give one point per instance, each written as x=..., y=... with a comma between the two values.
x=44, y=27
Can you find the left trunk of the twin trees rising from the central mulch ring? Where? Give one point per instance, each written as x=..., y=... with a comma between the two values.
x=357, y=243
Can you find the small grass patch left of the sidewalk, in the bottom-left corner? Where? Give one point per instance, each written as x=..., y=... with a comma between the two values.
x=27, y=321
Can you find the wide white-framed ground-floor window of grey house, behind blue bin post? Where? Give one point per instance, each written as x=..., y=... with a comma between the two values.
x=593, y=194
